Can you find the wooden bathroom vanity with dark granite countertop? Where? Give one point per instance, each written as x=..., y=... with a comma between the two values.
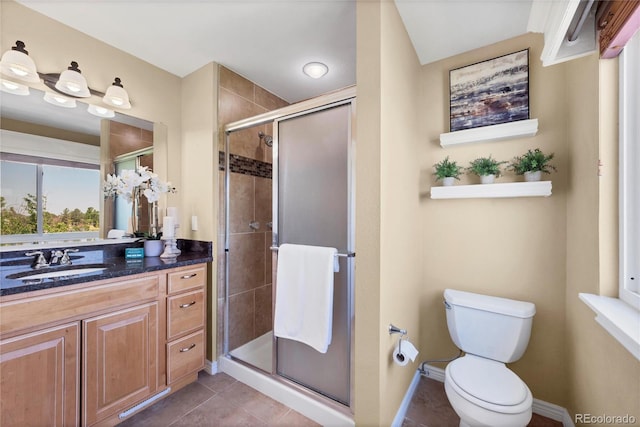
x=87, y=349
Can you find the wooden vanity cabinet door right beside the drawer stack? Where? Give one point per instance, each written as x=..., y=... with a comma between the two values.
x=120, y=352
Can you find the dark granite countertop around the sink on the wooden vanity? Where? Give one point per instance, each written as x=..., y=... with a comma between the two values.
x=13, y=263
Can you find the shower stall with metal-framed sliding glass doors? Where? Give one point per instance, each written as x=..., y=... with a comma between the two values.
x=311, y=185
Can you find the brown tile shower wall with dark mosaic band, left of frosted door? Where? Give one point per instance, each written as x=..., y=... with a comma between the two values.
x=250, y=306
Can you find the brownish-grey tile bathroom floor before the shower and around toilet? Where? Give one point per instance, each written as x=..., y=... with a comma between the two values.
x=220, y=400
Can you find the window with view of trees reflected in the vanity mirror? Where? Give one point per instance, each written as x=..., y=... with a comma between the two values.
x=50, y=189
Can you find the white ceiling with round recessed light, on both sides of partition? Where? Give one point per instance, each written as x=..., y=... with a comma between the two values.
x=268, y=41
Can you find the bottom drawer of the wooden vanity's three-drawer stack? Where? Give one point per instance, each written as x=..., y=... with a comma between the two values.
x=185, y=356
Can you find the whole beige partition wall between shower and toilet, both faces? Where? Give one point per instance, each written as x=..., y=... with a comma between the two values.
x=388, y=264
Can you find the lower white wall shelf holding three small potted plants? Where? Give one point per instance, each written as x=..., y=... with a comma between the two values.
x=484, y=191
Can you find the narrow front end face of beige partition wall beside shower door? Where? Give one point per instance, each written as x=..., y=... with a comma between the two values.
x=367, y=386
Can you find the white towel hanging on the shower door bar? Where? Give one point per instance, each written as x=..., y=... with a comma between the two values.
x=304, y=294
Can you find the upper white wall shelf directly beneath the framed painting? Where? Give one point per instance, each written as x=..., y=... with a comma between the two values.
x=511, y=130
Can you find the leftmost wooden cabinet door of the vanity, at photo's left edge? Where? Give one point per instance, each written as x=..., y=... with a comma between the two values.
x=39, y=375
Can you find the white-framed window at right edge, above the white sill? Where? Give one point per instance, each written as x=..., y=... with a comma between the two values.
x=630, y=173
